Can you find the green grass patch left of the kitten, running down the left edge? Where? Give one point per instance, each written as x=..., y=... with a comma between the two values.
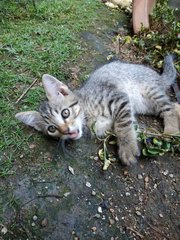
x=45, y=38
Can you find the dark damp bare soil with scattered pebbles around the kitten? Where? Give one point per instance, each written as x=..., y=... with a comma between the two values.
x=59, y=195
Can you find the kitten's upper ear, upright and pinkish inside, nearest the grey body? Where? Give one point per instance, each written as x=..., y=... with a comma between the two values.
x=54, y=88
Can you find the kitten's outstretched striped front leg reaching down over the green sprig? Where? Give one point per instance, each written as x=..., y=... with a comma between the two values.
x=125, y=132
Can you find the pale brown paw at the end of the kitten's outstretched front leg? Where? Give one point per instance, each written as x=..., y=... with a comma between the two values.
x=128, y=153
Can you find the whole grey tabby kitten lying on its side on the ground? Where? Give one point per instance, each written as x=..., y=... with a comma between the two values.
x=110, y=98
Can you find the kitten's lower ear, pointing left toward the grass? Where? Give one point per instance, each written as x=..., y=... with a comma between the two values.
x=31, y=118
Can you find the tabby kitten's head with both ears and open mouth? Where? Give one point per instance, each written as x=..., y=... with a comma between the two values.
x=61, y=116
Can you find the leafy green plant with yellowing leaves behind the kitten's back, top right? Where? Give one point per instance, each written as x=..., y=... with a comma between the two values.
x=151, y=45
